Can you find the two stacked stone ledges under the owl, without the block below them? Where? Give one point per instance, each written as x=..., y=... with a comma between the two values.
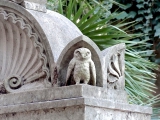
x=68, y=96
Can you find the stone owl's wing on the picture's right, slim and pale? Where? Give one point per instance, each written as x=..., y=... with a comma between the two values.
x=93, y=72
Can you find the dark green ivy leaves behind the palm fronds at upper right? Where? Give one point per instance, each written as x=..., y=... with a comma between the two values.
x=147, y=14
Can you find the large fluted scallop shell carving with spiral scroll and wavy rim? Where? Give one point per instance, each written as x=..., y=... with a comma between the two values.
x=22, y=57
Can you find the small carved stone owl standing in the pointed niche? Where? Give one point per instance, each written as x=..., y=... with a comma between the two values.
x=82, y=66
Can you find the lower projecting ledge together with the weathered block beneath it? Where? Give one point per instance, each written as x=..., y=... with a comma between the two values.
x=90, y=108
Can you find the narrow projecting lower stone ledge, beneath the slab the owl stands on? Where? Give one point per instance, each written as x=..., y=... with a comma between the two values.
x=105, y=104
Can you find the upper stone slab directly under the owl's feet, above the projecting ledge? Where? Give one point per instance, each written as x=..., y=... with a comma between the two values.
x=66, y=92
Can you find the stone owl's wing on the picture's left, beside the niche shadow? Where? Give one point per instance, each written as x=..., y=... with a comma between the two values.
x=70, y=68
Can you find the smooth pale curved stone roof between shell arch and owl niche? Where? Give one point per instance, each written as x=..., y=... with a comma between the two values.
x=58, y=30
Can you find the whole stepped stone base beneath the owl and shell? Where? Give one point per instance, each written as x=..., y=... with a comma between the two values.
x=79, y=104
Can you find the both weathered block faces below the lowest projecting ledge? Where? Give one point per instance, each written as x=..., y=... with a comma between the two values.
x=76, y=113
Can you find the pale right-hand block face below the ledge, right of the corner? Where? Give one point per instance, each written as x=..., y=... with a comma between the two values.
x=93, y=113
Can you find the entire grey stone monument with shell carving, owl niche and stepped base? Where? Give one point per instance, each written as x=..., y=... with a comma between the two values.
x=50, y=71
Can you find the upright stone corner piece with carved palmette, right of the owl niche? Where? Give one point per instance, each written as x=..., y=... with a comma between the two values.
x=114, y=66
